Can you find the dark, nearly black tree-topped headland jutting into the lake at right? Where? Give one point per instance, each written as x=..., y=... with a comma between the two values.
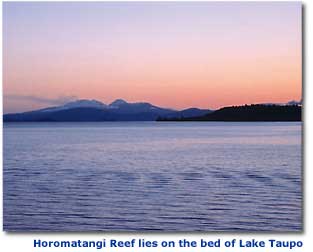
x=258, y=112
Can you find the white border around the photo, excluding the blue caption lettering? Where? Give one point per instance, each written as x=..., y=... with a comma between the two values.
x=24, y=242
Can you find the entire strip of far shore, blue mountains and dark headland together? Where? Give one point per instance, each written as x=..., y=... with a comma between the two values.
x=123, y=111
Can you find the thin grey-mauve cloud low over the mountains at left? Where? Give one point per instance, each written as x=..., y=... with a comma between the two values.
x=47, y=101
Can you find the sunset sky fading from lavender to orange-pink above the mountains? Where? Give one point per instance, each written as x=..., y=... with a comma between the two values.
x=174, y=54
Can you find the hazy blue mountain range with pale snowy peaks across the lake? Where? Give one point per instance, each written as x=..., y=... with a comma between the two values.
x=92, y=110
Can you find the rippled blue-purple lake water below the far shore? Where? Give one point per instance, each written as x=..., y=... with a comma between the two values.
x=157, y=176
